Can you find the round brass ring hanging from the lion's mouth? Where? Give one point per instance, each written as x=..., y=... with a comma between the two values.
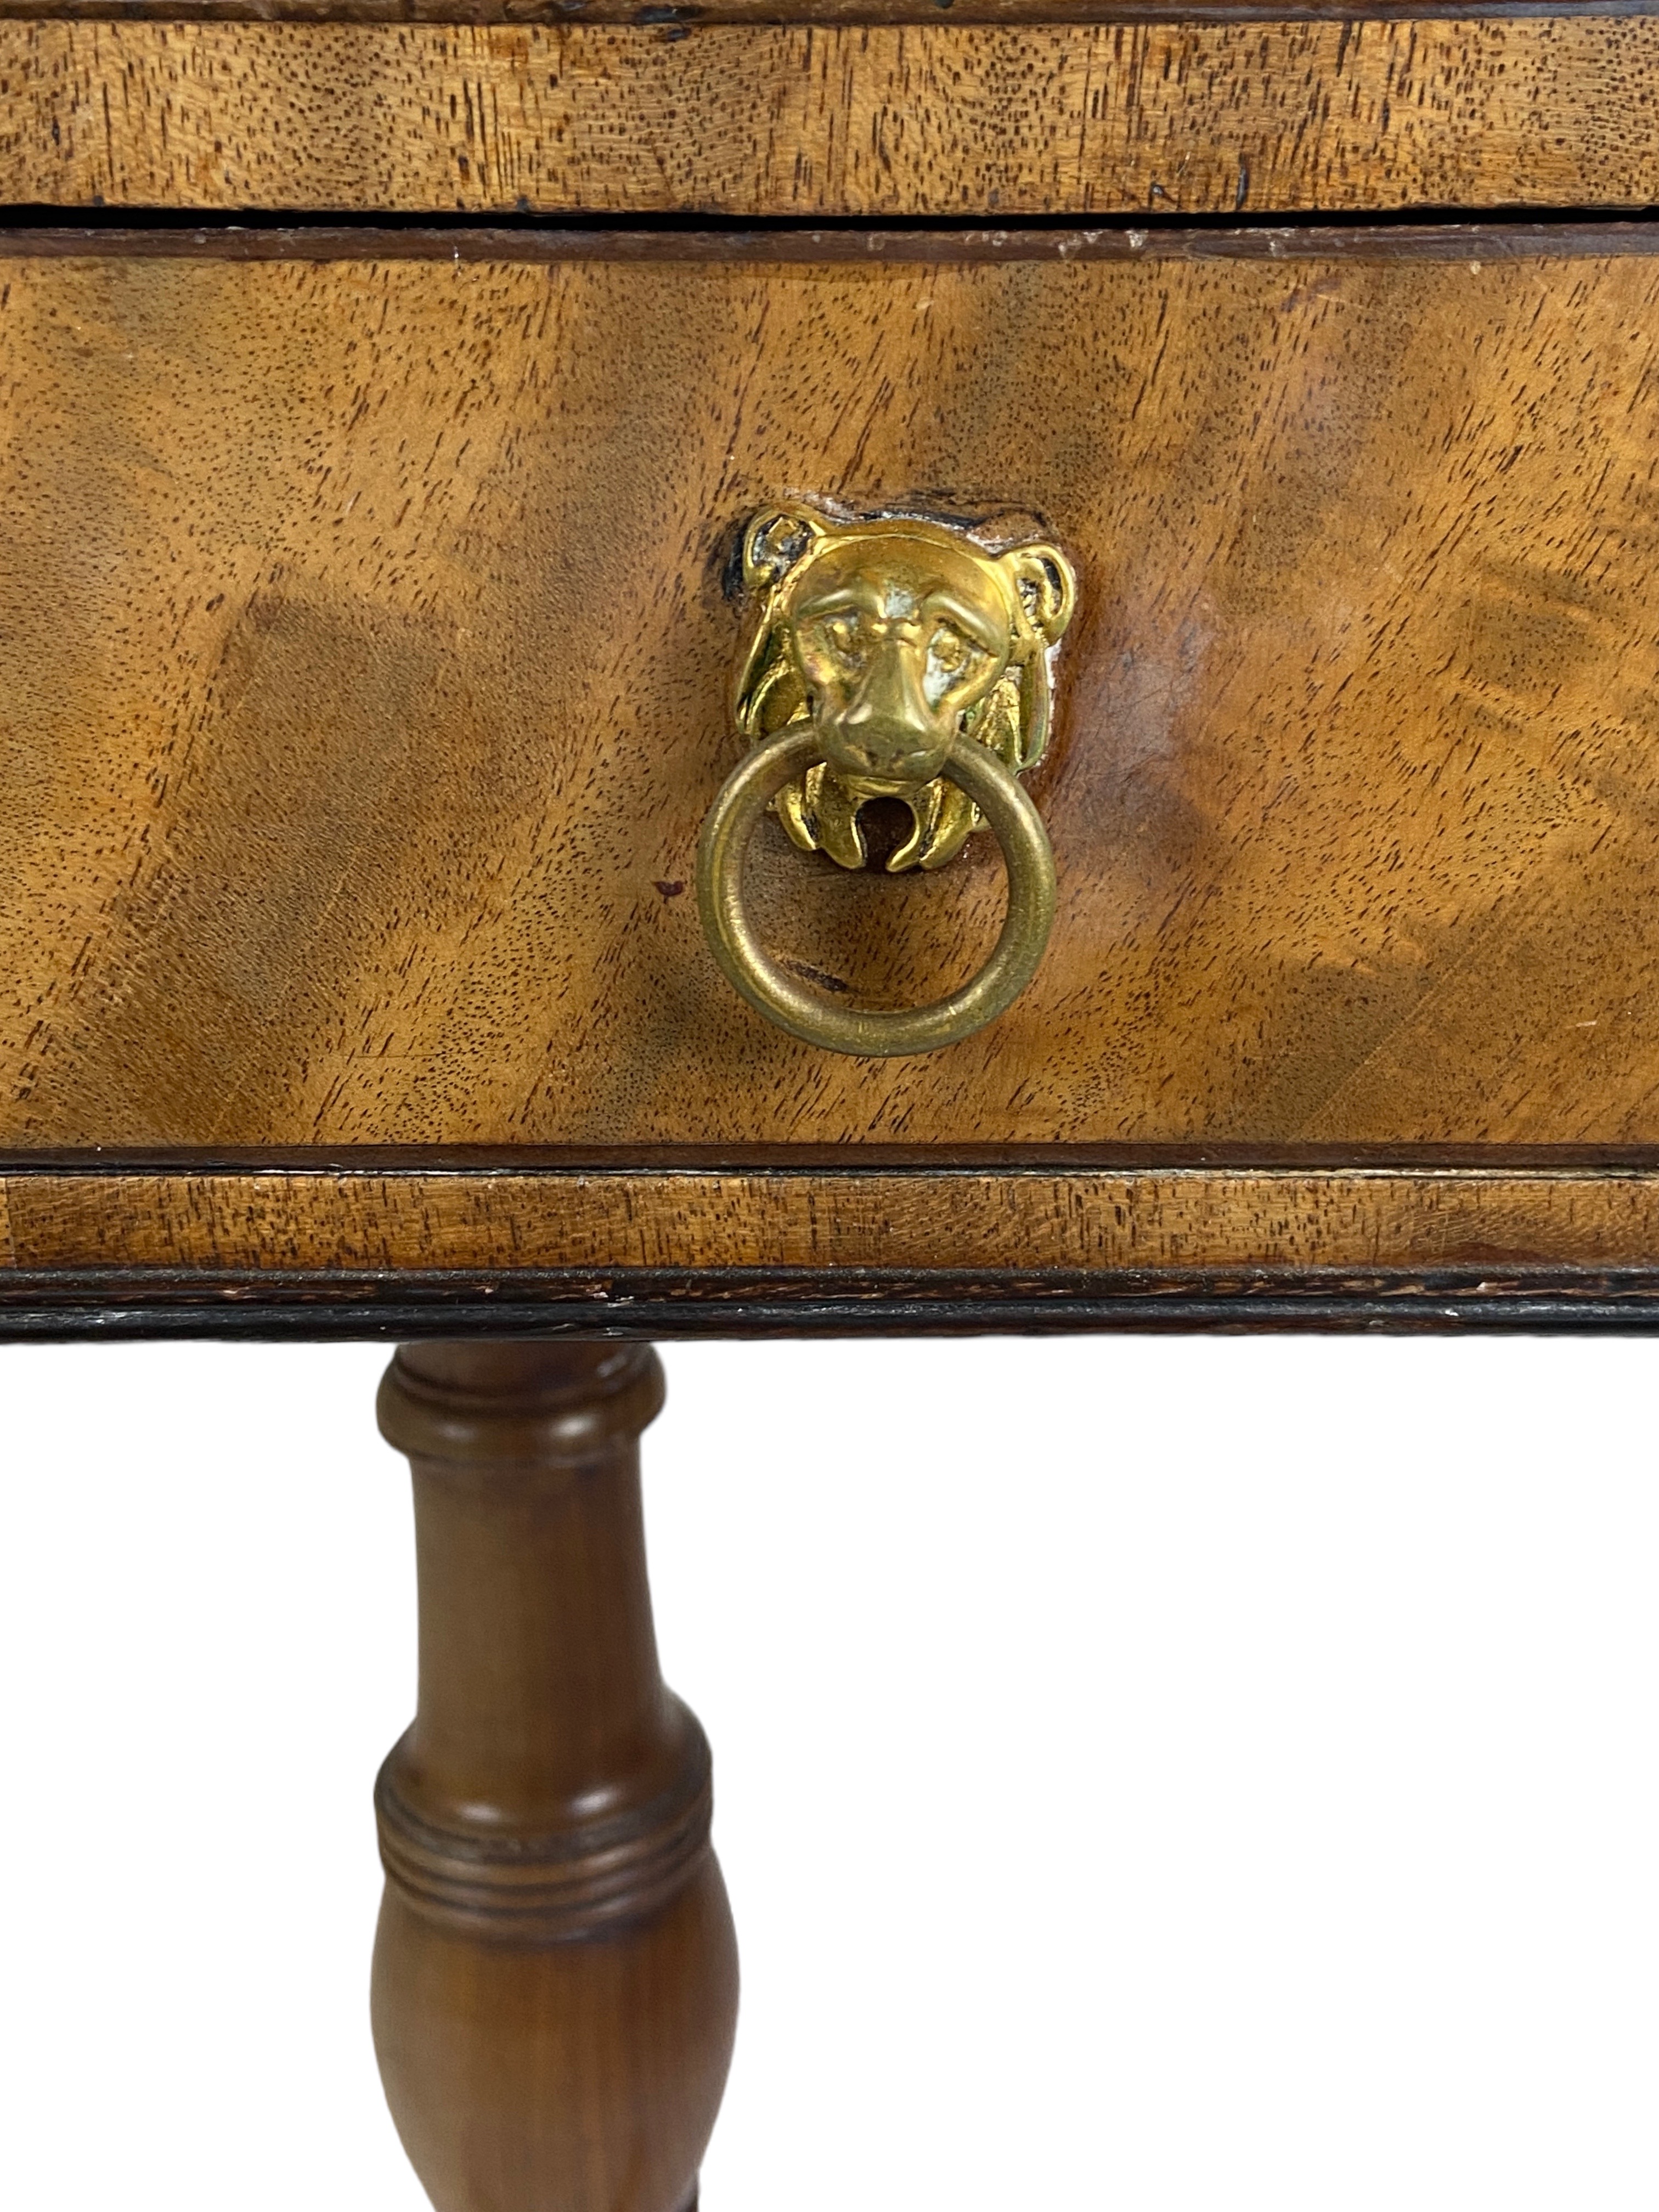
x=846, y=1030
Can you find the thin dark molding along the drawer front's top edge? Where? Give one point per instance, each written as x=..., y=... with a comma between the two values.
x=1423, y=236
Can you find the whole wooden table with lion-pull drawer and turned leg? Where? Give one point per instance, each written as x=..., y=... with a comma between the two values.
x=446, y=459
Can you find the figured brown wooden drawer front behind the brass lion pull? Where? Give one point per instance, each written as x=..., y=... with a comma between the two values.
x=366, y=667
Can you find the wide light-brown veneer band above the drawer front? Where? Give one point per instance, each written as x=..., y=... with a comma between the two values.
x=833, y=121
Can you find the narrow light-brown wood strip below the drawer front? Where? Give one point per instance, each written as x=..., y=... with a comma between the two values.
x=939, y=1220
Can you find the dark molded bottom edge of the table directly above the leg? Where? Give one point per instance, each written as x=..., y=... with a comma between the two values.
x=722, y=1304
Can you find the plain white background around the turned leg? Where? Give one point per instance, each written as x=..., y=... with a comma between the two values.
x=1151, y=1775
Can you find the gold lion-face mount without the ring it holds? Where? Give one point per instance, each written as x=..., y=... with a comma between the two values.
x=895, y=638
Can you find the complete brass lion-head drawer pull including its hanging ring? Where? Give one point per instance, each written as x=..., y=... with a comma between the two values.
x=890, y=660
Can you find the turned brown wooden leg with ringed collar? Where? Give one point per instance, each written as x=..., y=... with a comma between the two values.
x=556, y=1970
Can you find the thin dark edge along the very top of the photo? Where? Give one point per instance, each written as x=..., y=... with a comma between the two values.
x=674, y=19
